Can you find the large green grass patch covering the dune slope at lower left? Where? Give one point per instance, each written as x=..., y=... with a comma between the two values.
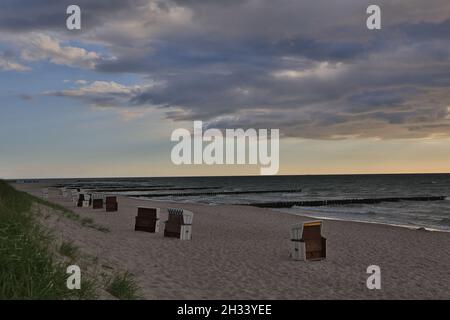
x=28, y=266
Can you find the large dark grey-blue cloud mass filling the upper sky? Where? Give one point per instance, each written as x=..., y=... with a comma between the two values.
x=310, y=68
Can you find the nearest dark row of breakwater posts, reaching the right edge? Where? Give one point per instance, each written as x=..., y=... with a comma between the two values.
x=335, y=202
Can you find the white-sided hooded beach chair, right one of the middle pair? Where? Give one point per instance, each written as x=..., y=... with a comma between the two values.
x=179, y=224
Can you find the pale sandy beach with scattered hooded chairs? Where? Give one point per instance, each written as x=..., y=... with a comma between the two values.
x=241, y=252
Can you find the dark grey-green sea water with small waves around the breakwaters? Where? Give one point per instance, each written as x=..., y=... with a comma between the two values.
x=432, y=214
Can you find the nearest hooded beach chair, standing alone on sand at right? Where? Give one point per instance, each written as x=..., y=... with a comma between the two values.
x=307, y=242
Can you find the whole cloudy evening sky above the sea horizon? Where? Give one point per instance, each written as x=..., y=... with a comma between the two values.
x=103, y=101
